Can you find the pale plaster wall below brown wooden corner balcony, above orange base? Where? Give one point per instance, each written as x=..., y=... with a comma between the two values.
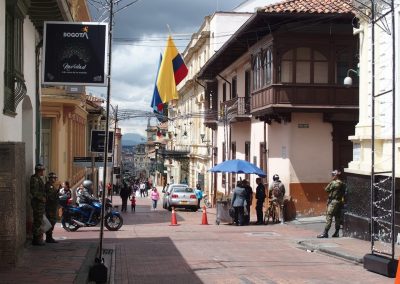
x=300, y=154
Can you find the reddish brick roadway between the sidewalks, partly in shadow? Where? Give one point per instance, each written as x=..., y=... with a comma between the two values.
x=148, y=250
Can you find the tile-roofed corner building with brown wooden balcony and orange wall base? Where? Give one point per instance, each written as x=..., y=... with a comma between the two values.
x=278, y=87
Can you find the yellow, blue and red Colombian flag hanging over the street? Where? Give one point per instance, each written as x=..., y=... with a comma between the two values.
x=171, y=72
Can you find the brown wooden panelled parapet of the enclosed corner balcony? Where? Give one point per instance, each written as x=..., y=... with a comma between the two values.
x=277, y=99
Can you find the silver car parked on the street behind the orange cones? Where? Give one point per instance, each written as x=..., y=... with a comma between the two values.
x=180, y=196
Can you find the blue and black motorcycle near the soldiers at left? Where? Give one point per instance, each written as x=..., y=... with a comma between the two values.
x=75, y=217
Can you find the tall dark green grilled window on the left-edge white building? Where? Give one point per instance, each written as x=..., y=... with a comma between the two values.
x=14, y=86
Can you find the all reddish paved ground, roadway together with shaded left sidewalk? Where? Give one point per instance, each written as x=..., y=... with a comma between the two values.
x=148, y=250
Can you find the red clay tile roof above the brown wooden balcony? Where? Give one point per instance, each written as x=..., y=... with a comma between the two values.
x=310, y=6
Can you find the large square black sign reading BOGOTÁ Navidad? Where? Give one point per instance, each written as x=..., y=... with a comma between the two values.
x=74, y=53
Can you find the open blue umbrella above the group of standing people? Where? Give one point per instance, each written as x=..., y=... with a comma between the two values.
x=237, y=166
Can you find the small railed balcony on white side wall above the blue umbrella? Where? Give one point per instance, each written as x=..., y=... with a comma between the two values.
x=238, y=109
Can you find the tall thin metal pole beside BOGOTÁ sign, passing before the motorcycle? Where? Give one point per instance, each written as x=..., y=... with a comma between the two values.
x=100, y=259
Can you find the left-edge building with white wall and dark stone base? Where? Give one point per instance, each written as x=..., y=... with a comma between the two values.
x=21, y=30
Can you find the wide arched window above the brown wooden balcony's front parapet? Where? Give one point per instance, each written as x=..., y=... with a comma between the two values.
x=304, y=65
